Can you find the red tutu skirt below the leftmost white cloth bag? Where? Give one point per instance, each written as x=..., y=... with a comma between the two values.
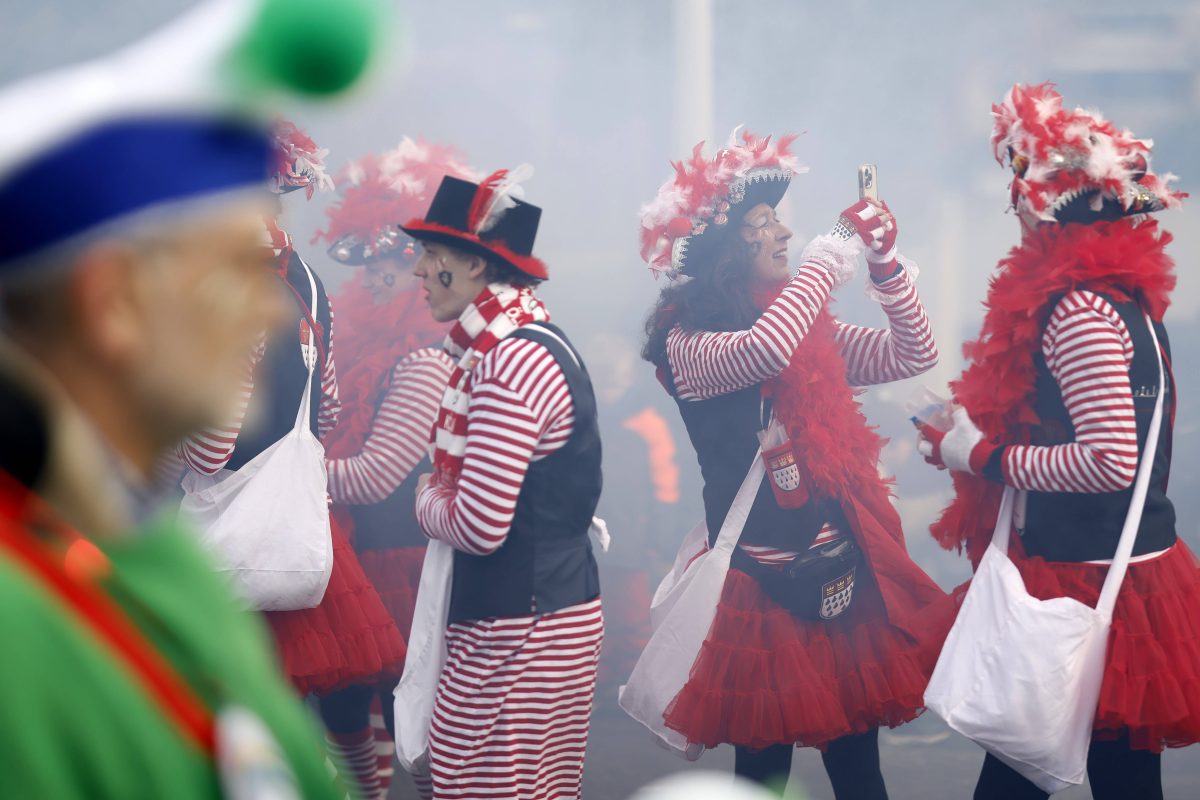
x=349, y=640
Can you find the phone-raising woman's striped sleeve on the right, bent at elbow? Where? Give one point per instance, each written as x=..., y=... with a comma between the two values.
x=878, y=357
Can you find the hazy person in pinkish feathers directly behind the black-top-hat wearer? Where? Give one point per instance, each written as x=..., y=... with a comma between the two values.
x=392, y=378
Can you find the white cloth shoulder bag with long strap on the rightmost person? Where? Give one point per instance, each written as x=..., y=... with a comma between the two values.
x=1022, y=677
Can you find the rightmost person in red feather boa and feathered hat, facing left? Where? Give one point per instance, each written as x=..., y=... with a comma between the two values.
x=1057, y=404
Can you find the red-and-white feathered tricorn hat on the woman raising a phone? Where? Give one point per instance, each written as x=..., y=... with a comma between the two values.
x=706, y=199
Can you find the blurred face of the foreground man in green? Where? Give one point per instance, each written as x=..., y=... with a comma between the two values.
x=201, y=302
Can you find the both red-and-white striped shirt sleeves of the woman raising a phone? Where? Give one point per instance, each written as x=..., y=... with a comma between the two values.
x=711, y=364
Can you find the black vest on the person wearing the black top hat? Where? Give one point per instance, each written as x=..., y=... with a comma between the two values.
x=547, y=562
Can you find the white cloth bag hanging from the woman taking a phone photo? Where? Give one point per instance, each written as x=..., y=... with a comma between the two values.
x=682, y=615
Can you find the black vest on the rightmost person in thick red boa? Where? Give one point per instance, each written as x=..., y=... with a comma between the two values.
x=1087, y=527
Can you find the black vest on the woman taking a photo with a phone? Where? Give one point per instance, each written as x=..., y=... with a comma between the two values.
x=725, y=434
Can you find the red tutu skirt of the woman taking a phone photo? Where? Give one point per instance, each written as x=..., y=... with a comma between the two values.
x=767, y=678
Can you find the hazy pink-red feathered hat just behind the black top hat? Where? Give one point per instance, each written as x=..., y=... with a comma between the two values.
x=380, y=193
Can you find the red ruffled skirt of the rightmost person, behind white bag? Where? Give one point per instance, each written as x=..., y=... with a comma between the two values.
x=1153, y=677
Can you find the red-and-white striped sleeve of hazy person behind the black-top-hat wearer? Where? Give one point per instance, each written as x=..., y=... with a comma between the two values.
x=400, y=432
